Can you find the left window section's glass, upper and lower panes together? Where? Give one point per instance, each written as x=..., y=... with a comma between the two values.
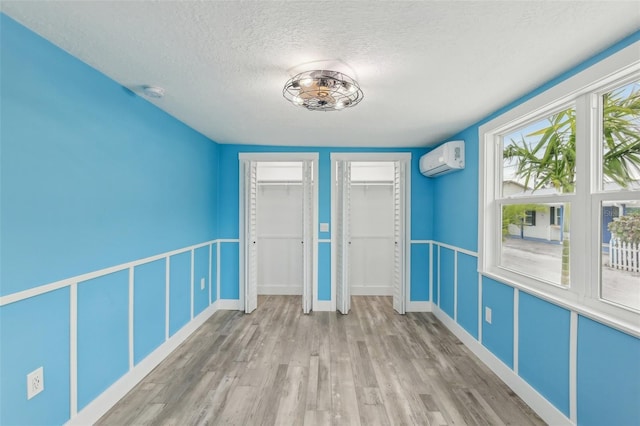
x=538, y=162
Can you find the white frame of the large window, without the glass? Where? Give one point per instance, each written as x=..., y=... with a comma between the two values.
x=582, y=90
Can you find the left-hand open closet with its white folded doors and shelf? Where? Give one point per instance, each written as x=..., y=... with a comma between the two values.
x=278, y=216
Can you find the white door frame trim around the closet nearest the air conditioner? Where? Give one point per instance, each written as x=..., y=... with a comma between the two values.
x=402, y=157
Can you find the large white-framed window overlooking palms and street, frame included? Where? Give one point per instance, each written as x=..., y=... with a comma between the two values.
x=560, y=210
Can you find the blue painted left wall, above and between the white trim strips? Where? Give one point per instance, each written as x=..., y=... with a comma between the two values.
x=91, y=176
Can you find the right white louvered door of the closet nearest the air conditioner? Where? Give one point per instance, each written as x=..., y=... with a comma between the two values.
x=398, y=237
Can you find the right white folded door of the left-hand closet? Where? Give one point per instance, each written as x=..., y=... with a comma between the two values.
x=307, y=235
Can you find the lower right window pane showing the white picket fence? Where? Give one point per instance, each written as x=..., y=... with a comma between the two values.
x=620, y=254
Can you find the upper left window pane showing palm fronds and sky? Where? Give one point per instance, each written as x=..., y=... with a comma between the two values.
x=539, y=158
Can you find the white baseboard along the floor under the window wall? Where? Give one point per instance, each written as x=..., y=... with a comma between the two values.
x=537, y=402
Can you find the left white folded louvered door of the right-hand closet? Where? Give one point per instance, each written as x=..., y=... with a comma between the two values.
x=343, y=240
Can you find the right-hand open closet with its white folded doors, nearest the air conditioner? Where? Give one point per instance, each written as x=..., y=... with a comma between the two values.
x=370, y=218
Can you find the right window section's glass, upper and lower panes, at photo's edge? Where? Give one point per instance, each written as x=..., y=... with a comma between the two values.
x=619, y=159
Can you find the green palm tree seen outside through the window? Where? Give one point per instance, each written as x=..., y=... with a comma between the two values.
x=550, y=160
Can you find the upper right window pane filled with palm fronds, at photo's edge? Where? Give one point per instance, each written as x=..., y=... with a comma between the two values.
x=621, y=138
